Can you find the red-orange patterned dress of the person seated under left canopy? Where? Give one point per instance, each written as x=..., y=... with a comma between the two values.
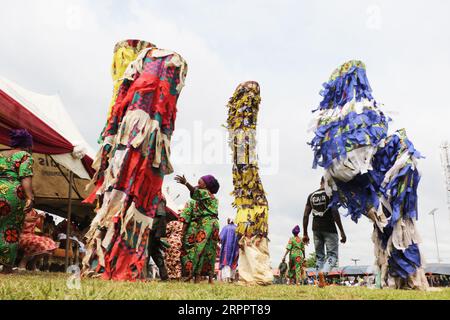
x=31, y=243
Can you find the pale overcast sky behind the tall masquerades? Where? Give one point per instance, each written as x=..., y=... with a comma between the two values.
x=290, y=47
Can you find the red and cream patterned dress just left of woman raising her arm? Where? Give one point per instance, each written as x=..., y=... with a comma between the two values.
x=174, y=233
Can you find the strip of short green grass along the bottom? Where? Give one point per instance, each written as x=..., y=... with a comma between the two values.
x=53, y=286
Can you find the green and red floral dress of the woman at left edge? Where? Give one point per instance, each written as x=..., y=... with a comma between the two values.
x=13, y=168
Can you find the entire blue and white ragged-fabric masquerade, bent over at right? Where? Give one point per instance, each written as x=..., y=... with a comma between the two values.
x=368, y=172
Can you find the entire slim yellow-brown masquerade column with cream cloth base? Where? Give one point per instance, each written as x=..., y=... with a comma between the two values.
x=250, y=199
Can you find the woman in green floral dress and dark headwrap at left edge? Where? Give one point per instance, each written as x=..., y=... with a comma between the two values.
x=16, y=195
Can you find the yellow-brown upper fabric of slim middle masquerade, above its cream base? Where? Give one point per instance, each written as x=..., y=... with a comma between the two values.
x=250, y=199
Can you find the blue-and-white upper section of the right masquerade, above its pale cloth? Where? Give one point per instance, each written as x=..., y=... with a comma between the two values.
x=348, y=116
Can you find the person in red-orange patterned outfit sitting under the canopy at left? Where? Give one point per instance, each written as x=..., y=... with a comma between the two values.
x=33, y=245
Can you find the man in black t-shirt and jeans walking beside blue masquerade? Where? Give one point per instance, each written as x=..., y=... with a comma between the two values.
x=326, y=240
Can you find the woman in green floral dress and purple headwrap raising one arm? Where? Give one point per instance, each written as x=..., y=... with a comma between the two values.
x=200, y=229
